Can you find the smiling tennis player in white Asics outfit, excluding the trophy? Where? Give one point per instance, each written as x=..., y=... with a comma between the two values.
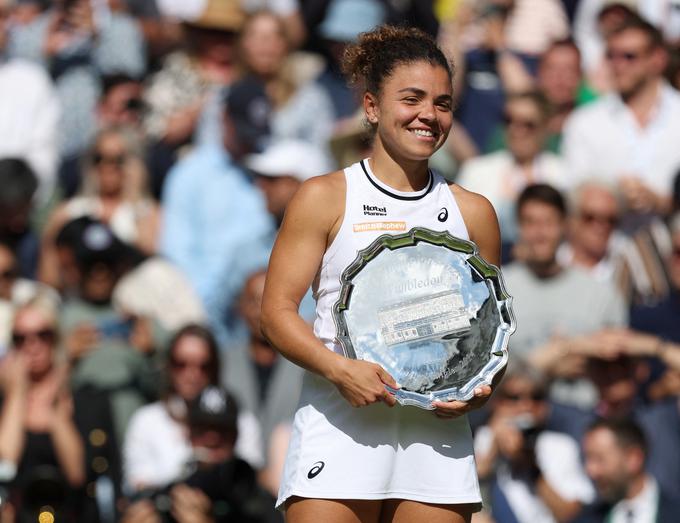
x=374, y=463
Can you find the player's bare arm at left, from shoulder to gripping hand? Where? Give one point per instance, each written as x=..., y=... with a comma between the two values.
x=311, y=221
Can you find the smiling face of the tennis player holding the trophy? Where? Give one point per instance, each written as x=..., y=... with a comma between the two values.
x=414, y=110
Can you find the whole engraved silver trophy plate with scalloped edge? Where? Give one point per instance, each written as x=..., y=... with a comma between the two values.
x=427, y=308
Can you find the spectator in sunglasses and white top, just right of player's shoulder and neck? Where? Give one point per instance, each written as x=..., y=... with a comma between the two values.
x=502, y=175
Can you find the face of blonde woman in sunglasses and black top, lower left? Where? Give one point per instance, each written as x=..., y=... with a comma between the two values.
x=35, y=336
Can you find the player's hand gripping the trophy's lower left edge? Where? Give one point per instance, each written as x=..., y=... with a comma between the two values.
x=362, y=383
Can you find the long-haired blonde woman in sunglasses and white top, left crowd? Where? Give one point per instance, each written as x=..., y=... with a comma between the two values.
x=114, y=191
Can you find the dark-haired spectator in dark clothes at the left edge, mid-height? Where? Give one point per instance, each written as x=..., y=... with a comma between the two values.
x=19, y=185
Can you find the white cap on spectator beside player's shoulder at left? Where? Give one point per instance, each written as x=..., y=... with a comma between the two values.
x=295, y=158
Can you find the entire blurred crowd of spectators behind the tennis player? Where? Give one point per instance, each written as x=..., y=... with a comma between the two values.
x=148, y=150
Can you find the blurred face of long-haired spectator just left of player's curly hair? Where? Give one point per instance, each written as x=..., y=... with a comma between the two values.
x=263, y=45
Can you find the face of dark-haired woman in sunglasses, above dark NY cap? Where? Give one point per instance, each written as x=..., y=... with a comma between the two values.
x=189, y=367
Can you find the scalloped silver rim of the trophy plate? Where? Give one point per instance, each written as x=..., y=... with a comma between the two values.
x=487, y=271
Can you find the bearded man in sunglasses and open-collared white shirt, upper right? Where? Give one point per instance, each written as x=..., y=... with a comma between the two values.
x=626, y=137
